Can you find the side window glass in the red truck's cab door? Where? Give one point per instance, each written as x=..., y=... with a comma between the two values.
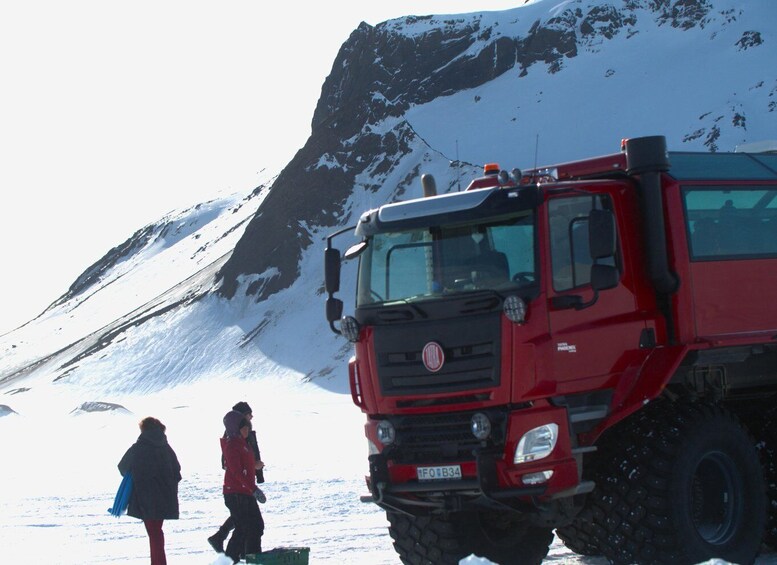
x=569, y=250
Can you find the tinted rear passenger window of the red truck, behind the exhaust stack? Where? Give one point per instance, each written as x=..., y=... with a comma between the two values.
x=731, y=222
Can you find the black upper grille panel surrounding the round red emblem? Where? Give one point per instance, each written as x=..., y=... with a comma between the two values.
x=472, y=355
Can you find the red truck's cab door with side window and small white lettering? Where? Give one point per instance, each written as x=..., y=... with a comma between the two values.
x=590, y=345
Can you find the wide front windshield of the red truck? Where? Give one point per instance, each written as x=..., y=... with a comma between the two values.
x=444, y=260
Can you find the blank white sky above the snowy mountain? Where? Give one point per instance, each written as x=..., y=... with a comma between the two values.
x=112, y=114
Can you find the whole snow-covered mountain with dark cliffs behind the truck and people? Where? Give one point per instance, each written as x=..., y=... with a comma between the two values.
x=233, y=288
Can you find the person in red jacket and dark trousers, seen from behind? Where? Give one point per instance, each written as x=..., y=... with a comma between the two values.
x=240, y=488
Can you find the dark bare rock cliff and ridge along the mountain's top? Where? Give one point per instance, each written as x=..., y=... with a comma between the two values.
x=378, y=74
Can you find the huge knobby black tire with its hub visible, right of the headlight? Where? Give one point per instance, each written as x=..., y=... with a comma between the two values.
x=686, y=487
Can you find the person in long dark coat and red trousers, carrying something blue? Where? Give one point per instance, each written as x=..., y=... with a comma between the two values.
x=155, y=476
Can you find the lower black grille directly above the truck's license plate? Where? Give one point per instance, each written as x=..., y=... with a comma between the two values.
x=442, y=438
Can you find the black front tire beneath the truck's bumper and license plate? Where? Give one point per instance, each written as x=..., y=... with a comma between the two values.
x=504, y=538
